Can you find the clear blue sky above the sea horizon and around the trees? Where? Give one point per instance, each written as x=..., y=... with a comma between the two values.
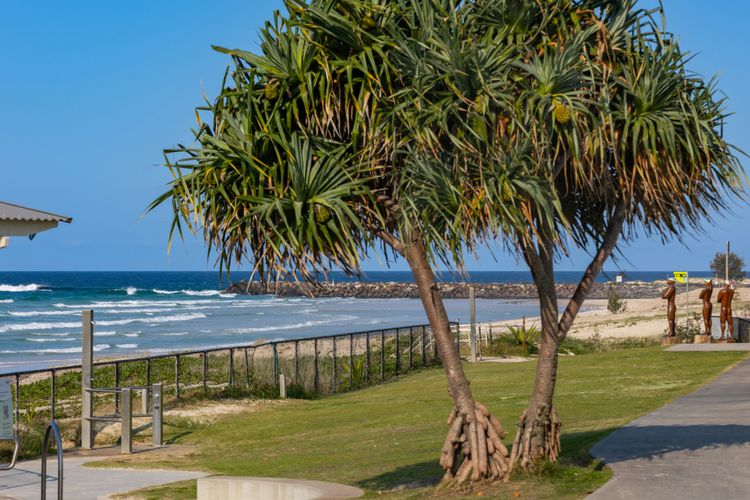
x=93, y=91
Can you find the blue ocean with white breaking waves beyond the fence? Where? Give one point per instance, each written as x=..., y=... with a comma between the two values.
x=156, y=312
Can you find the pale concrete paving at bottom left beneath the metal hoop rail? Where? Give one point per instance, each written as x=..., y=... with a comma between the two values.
x=81, y=483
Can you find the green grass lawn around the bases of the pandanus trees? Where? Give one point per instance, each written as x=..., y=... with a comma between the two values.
x=387, y=438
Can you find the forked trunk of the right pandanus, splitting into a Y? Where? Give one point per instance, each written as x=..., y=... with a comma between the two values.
x=538, y=435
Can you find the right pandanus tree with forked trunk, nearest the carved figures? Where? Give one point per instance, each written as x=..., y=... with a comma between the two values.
x=630, y=142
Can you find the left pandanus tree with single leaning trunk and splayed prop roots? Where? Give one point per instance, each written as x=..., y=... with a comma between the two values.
x=366, y=124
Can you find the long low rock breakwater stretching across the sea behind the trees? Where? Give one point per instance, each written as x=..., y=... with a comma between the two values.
x=380, y=290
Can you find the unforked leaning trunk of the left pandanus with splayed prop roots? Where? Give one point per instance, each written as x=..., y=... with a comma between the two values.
x=473, y=447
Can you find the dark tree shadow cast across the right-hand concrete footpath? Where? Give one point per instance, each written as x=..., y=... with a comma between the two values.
x=650, y=442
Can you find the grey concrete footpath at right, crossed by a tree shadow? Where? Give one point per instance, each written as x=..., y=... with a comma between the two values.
x=696, y=447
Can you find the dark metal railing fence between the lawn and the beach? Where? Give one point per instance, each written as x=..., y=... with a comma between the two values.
x=311, y=366
